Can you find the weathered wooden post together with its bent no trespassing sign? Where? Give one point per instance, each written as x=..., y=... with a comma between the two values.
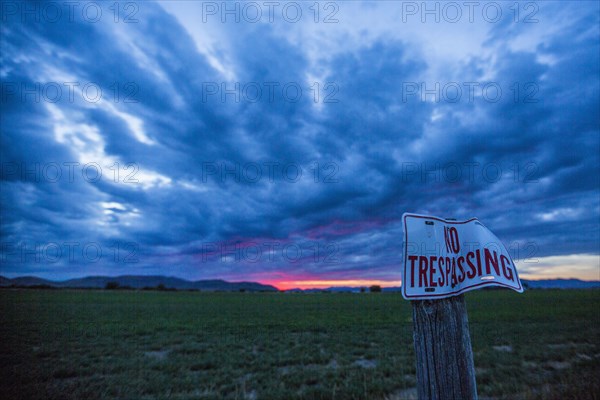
x=438, y=268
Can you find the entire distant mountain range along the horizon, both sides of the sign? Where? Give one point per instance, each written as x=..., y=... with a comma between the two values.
x=167, y=282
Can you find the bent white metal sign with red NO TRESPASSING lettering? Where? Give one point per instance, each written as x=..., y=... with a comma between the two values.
x=444, y=258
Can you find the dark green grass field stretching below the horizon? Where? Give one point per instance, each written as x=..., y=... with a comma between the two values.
x=67, y=344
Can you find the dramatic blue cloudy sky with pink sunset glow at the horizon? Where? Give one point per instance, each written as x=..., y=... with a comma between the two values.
x=282, y=142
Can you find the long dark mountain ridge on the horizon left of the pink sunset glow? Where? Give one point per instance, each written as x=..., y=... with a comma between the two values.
x=136, y=282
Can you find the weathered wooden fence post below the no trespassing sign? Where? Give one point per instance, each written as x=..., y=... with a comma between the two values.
x=445, y=368
